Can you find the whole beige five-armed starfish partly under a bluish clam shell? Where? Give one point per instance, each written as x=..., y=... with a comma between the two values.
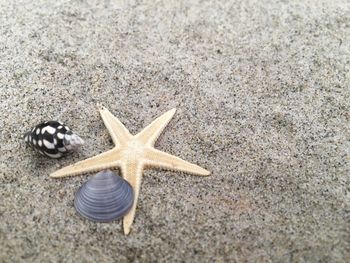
x=132, y=154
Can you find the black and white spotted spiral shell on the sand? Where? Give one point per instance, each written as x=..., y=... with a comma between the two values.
x=53, y=139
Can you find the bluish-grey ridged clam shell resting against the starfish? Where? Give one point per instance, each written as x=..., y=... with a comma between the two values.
x=104, y=197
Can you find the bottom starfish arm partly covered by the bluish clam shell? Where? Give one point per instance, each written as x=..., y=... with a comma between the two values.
x=132, y=172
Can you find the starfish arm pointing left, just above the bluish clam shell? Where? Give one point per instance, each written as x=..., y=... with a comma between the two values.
x=100, y=162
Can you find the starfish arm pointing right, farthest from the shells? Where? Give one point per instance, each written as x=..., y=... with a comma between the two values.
x=164, y=160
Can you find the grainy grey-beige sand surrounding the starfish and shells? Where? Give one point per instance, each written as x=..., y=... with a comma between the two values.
x=262, y=94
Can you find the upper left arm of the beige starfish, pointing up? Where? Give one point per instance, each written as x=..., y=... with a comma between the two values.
x=115, y=128
